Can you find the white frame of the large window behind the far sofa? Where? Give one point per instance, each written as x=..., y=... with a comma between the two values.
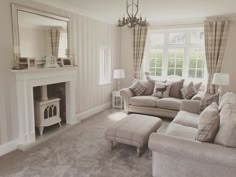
x=166, y=46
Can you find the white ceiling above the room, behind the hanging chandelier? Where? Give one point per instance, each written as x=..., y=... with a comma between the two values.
x=154, y=10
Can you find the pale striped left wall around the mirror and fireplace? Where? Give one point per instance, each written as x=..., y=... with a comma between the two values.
x=87, y=36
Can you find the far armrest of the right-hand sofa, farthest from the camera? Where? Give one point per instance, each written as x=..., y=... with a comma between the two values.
x=192, y=106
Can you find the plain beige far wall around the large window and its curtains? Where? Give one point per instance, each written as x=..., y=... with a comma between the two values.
x=228, y=64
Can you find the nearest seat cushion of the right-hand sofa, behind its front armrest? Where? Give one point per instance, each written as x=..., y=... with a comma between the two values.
x=181, y=131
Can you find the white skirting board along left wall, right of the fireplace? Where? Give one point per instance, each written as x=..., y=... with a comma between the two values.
x=93, y=111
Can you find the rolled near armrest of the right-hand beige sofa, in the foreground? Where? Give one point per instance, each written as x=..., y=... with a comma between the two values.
x=191, y=149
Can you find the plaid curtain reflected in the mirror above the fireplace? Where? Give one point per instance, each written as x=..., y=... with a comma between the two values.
x=54, y=39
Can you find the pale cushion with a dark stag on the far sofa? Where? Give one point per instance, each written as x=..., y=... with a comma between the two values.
x=161, y=90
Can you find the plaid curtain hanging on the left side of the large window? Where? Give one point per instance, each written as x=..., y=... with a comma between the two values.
x=139, y=42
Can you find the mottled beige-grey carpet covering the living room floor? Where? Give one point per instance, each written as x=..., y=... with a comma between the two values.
x=81, y=151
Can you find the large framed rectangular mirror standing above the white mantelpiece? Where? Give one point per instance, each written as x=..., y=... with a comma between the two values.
x=40, y=39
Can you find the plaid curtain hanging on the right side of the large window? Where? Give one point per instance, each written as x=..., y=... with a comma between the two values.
x=216, y=34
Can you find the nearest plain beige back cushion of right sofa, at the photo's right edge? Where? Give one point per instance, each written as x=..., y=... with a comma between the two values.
x=227, y=133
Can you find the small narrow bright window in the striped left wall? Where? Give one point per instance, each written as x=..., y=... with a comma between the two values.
x=105, y=66
